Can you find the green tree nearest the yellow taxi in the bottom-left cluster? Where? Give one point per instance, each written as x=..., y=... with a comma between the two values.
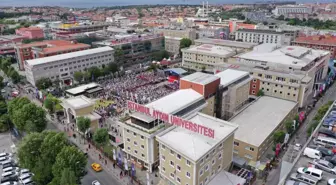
x=71, y=158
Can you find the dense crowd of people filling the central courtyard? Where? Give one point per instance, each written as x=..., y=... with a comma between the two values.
x=141, y=88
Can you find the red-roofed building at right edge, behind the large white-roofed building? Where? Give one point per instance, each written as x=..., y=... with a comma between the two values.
x=323, y=42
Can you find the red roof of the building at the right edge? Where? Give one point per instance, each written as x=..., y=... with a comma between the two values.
x=318, y=39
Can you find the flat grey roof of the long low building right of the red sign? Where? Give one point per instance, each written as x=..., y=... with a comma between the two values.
x=260, y=119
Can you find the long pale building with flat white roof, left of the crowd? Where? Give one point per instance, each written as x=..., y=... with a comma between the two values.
x=62, y=67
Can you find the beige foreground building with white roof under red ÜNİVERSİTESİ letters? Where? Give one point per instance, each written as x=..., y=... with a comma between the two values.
x=194, y=159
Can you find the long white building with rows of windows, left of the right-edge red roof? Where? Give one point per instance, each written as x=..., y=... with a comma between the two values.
x=262, y=36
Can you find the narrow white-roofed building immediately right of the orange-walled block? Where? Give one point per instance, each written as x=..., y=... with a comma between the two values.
x=233, y=92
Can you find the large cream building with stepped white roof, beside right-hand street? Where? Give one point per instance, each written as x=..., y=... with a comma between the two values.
x=291, y=72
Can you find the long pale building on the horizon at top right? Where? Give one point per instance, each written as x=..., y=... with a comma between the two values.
x=283, y=10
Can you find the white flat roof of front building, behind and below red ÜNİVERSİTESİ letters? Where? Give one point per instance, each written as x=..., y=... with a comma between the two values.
x=198, y=145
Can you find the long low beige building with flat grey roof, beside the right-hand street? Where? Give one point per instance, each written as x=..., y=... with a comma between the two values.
x=257, y=123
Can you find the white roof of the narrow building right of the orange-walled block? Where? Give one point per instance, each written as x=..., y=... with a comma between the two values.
x=229, y=76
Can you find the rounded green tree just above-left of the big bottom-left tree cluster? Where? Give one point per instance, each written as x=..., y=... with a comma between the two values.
x=30, y=118
